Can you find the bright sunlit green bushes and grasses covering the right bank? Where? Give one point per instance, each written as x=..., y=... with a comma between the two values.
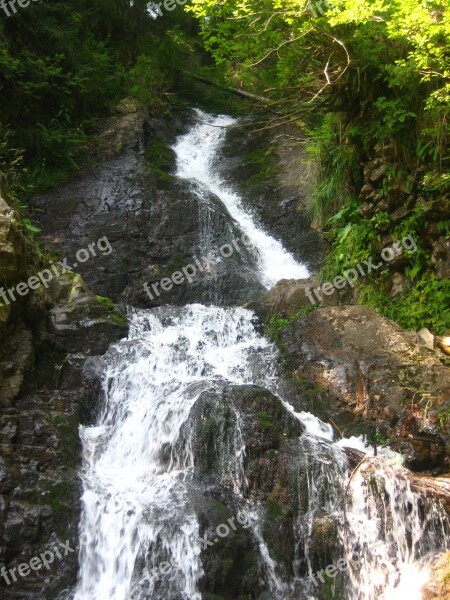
x=369, y=83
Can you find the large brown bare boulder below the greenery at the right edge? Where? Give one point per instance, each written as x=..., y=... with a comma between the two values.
x=375, y=369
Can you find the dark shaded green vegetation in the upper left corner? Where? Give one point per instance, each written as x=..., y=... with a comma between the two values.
x=66, y=65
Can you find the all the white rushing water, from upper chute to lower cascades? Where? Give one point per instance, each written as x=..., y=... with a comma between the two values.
x=137, y=514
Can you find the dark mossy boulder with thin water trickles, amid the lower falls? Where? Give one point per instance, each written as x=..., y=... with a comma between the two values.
x=267, y=474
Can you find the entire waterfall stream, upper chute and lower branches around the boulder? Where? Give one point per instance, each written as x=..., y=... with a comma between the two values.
x=139, y=525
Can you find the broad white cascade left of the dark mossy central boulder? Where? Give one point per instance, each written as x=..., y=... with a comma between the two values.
x=135, y=508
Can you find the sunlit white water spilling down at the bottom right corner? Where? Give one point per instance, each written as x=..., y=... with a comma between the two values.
x=393, y=540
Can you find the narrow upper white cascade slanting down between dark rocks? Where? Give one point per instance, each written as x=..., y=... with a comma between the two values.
x=196, y=152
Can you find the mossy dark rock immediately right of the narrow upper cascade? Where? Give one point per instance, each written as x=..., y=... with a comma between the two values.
x=274, y=178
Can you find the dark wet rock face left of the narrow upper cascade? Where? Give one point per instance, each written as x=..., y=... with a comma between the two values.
x=153, y=223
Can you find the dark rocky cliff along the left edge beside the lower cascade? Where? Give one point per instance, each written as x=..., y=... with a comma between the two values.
x=45, y=338
